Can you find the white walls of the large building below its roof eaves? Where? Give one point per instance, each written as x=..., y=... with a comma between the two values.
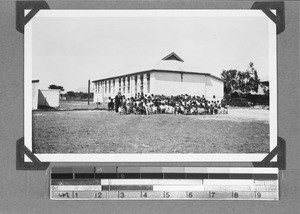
x=166, y=83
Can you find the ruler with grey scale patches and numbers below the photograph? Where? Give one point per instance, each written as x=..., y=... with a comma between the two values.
x=163, y=183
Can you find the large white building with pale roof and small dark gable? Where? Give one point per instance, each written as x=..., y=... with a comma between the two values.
x=168, y=77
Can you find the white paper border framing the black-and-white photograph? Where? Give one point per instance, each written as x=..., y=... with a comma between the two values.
x=154, y=158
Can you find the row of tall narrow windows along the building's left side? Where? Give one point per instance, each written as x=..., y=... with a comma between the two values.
x=109, y=85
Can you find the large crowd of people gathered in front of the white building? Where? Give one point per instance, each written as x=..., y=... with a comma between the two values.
x=161, y=104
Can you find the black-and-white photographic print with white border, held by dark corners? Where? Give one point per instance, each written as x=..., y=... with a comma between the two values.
x=150, y=85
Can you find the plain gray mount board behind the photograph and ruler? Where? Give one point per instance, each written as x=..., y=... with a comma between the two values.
x=27, y=191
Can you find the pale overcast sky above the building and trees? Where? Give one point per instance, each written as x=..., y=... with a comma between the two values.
x=69, y=51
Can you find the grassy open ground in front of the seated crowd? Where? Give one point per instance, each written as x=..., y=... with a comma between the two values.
x=241, y=131
